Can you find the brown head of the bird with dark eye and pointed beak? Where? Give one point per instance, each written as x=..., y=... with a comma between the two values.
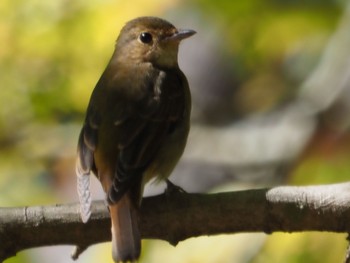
x=150, y=40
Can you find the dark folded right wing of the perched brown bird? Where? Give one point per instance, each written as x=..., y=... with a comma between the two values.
x=148, y=132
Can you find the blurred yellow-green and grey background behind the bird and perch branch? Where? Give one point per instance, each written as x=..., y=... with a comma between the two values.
x=249, y=62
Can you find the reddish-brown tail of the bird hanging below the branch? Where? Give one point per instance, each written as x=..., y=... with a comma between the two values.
x=126, y=239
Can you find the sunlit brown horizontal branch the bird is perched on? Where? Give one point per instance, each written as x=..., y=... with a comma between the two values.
x=175, y=216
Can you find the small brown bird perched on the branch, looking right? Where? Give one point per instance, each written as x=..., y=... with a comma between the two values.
x=136, y=125
